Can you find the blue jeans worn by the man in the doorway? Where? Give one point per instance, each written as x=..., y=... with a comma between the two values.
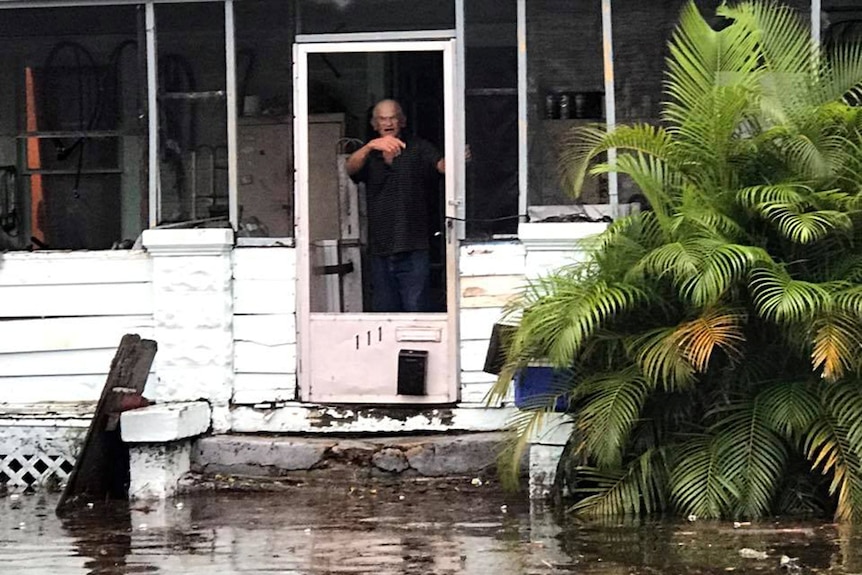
x=400, y=282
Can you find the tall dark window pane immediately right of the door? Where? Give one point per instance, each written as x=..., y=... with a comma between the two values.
x=491, y=101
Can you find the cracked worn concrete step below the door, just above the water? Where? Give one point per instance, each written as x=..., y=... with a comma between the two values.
x=350, y=458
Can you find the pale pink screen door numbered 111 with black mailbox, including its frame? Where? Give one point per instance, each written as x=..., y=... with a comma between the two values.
x=350, y=353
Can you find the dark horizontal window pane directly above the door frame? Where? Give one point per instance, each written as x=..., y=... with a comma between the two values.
x=341, y=16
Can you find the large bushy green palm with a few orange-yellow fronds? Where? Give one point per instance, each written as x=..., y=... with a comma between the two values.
x=715, y=340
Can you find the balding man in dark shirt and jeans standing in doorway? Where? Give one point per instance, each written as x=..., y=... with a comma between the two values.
x=400, y=173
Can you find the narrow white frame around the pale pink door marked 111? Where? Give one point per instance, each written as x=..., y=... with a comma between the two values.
x=452, y=134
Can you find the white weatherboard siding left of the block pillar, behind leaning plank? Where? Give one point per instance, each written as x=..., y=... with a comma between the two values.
x=63, y=316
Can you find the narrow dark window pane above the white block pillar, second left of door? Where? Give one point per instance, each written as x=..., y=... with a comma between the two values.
x=192, y=102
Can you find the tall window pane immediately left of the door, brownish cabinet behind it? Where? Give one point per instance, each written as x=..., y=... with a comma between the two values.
x=265, y=128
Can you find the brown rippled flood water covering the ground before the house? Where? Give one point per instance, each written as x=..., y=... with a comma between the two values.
x=450, y=529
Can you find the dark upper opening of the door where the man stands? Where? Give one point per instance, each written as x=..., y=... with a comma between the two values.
x=353, y=221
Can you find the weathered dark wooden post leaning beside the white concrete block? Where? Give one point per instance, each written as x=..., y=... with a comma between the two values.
x=102, y=467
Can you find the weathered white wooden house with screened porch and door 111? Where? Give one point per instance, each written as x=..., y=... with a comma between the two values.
x=171, y=168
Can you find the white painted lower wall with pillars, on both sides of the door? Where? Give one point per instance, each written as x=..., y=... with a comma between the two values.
x=224, y=320
